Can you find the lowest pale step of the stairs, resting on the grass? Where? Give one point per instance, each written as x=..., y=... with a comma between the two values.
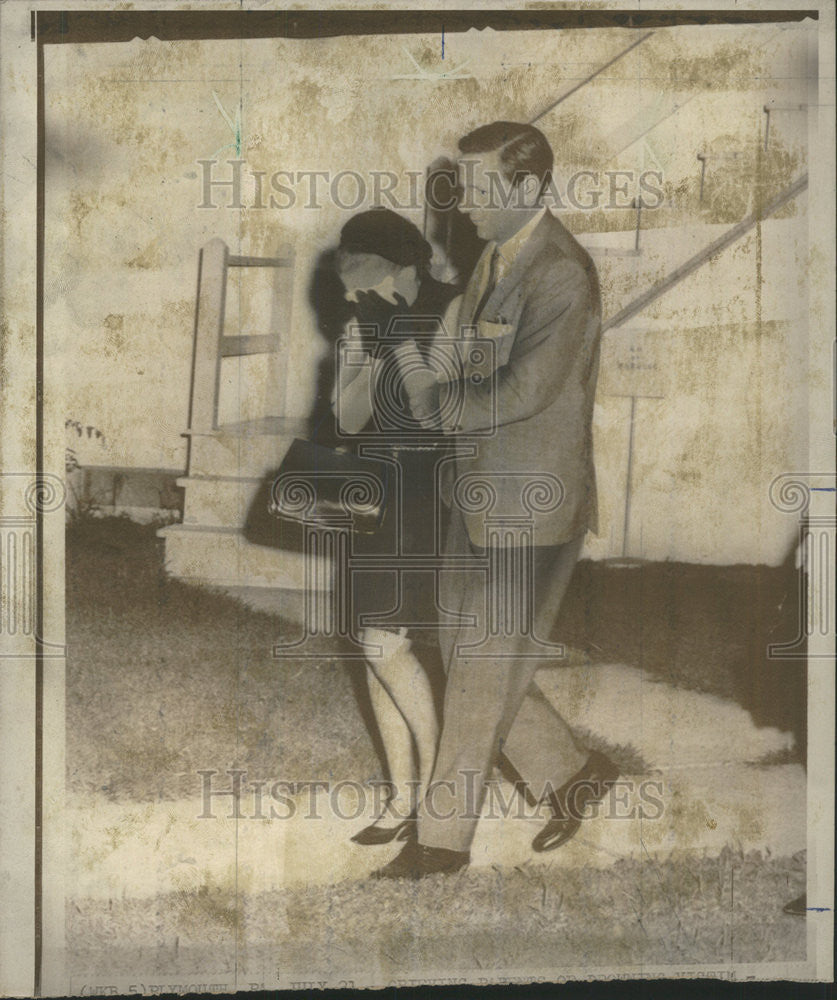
x=222, y=557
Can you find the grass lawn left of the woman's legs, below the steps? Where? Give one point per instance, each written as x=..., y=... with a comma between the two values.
x=165, y=679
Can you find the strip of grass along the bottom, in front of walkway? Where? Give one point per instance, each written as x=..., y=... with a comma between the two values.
x=693, y=911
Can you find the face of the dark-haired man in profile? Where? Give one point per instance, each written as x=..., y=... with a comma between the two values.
x=496, y=209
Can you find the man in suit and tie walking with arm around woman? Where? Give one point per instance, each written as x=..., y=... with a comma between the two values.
x=535, y=291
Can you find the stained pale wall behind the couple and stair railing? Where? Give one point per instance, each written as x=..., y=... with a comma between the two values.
x=126, y=125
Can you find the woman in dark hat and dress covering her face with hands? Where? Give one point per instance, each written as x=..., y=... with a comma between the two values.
x=400, y=310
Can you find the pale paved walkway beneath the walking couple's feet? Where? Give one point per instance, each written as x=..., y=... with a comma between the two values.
x=710, y=785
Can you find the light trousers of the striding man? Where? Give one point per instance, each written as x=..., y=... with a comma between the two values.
x=491, y=704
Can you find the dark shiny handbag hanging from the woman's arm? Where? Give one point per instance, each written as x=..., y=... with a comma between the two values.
x=318, y=486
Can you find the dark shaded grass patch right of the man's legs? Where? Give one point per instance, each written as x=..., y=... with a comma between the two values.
x=702, y=628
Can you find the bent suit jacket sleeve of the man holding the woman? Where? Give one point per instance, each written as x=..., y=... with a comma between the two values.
x=553, y=330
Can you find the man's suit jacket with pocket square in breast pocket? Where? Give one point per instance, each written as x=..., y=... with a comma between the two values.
x=550, y=307
